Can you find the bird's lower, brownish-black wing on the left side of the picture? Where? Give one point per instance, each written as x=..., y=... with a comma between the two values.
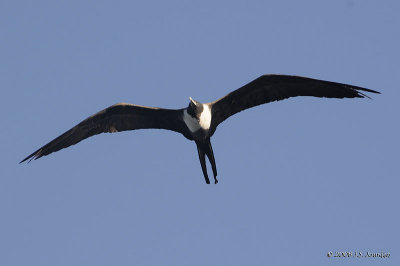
x=119, y=117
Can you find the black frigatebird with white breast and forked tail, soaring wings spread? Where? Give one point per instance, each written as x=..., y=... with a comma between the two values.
x=199, y=121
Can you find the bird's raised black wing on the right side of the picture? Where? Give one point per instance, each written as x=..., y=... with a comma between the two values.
x=269, y=88
